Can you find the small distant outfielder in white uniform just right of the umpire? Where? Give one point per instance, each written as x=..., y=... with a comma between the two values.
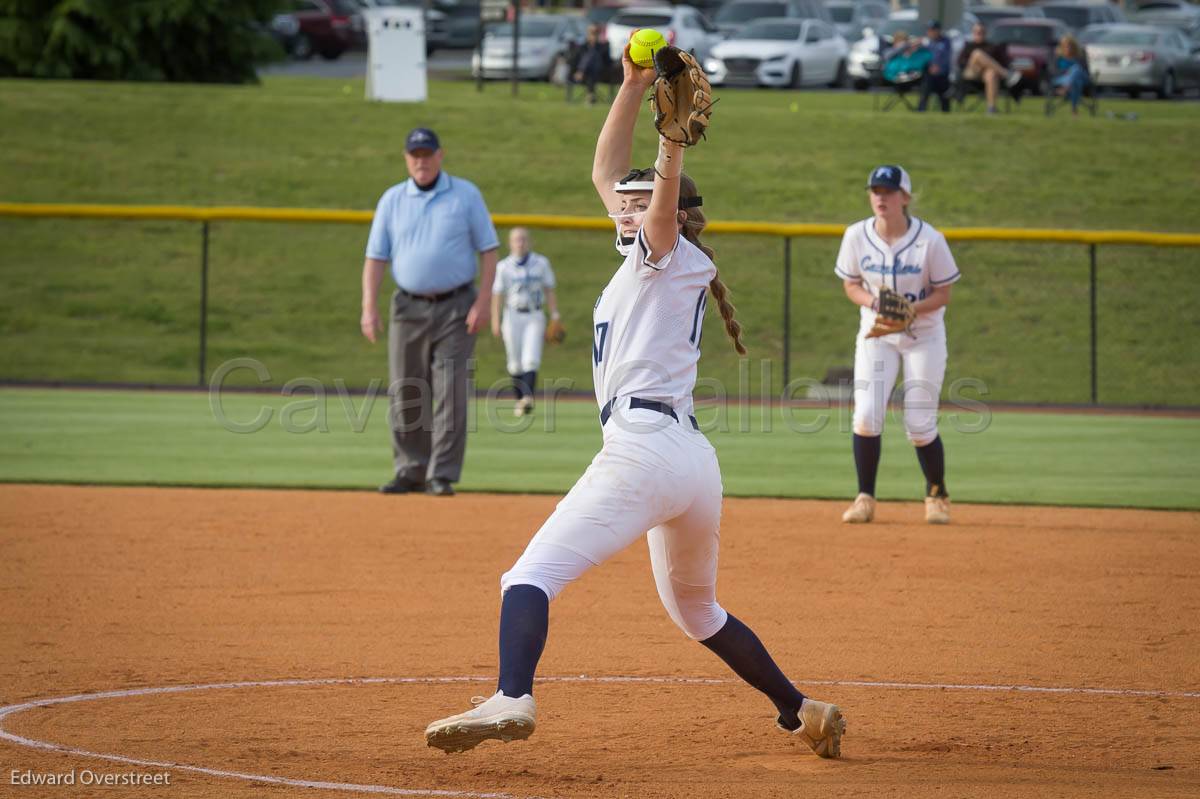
x=527, y=283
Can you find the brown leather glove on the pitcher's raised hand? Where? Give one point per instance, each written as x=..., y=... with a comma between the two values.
x=682, y=99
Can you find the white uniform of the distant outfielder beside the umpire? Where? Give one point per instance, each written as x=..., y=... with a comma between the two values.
x=524, y=284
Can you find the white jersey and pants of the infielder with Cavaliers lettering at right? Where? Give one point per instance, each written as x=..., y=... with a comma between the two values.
x=914, y=267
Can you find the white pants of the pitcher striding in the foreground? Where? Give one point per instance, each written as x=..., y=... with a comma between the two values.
x=653, y=477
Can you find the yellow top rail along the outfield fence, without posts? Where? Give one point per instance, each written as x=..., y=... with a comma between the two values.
x=243, y=214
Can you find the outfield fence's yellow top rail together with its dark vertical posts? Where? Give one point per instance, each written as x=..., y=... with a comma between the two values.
x=206, y=217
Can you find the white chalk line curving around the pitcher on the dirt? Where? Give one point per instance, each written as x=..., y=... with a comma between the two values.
x=351, y=788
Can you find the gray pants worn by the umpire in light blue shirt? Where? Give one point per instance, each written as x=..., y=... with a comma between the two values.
x=428, y=352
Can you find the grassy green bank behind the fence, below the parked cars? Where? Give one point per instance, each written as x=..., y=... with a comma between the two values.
x=113, y=302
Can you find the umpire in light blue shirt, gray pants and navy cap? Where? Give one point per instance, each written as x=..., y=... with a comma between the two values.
x=436, y=235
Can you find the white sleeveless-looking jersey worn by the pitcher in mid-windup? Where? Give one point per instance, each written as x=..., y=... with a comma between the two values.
x=647, y=327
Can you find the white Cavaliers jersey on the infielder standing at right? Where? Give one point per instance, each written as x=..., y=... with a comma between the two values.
x=914, y=267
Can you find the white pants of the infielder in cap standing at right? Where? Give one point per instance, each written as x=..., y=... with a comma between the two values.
x=877, y=367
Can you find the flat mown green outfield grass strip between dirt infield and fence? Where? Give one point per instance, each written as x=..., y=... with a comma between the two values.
x=178, y=438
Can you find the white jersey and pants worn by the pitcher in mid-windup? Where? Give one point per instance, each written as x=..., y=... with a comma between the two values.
x=656, y=474
